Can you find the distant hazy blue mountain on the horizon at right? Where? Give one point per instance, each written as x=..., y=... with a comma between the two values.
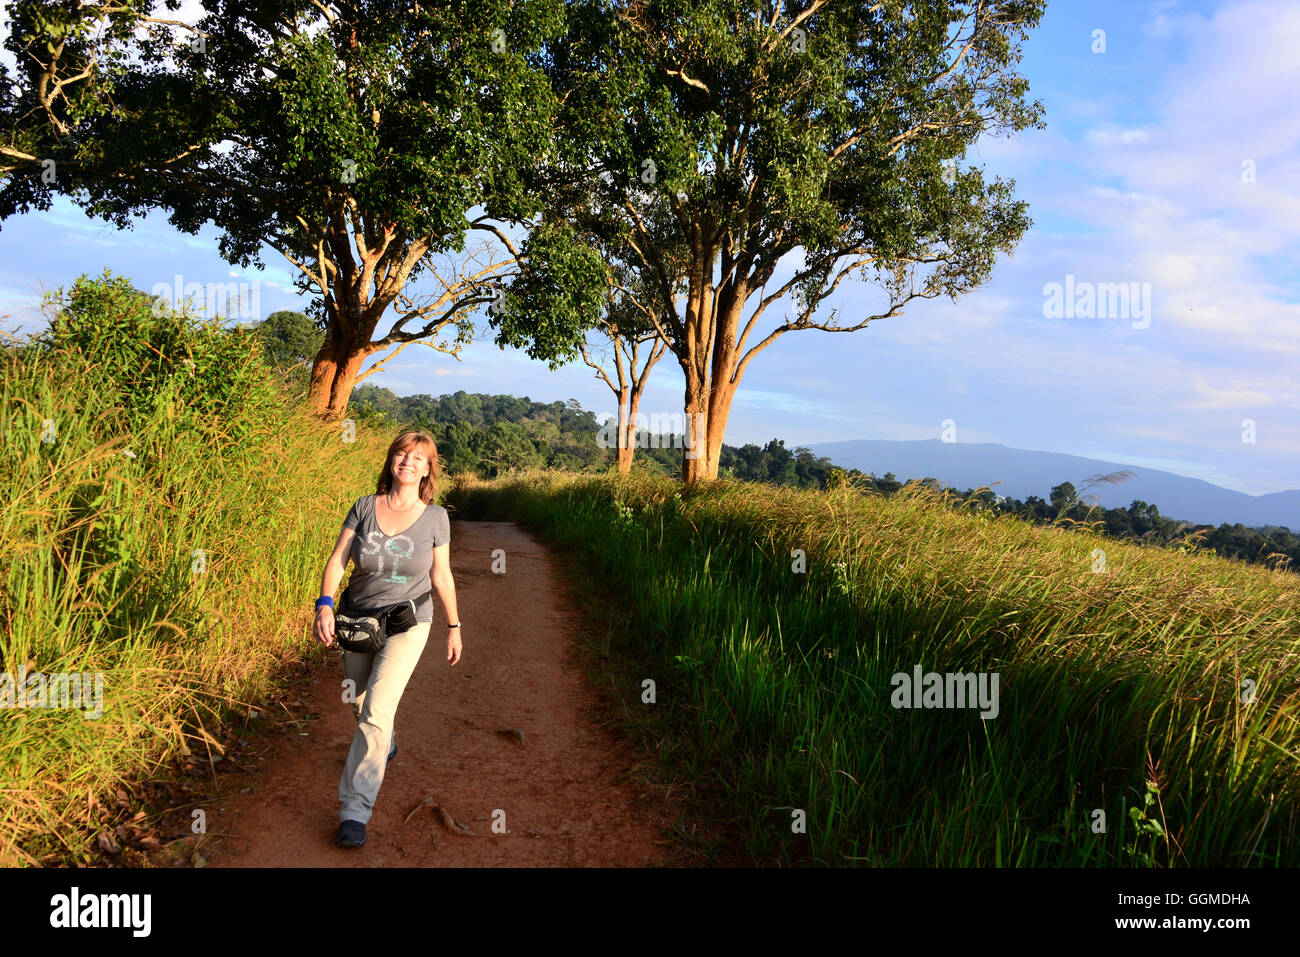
x=1022, y=474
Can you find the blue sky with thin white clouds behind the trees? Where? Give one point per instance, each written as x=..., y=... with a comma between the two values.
x=1138, y=179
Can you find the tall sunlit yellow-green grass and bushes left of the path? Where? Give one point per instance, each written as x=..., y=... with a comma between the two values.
x=166, y=513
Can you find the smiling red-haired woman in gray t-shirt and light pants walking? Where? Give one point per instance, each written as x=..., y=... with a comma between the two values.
x=400, y=544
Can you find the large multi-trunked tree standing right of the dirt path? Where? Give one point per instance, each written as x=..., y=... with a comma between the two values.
x=725, y=140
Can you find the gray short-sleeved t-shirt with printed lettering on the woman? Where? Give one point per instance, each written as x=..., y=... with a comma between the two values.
x=395, y=569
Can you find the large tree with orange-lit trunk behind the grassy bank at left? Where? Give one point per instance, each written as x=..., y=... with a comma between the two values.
x=354, y=138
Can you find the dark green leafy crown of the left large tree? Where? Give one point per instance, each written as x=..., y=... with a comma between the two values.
x=457, y=119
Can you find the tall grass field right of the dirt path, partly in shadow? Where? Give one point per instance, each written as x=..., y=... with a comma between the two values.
x=1162, y=692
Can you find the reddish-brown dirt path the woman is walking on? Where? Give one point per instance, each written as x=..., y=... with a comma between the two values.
x=565, y=791
